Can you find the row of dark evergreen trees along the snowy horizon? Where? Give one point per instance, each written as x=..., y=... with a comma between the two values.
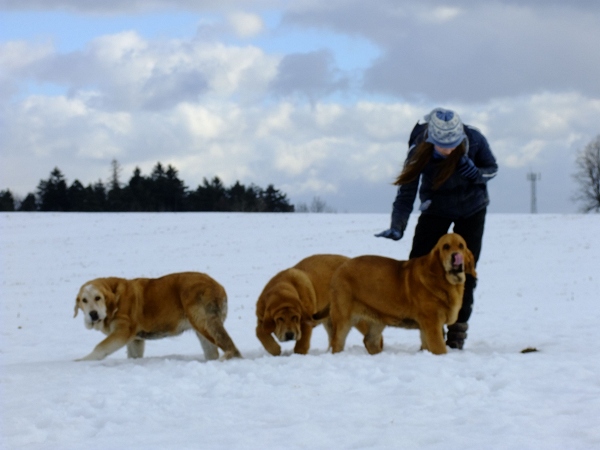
x=162, y=191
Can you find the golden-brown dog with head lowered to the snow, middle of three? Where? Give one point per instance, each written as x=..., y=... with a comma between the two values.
x=287, y=303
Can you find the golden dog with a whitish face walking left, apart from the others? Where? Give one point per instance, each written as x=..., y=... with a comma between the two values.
x=131, y=311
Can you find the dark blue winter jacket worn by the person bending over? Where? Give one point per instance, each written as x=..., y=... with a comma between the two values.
x=458, y=197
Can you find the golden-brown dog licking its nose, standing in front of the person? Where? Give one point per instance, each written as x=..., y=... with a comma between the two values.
x=422, y=293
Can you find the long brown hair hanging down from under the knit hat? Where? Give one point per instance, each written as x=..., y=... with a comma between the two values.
x=422, y=156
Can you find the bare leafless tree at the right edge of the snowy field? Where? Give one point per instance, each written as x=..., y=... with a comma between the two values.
x=588, y=176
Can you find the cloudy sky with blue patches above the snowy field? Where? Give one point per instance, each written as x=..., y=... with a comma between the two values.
x=316, y=98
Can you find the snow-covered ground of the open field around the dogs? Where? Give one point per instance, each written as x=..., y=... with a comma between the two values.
x=539, y=287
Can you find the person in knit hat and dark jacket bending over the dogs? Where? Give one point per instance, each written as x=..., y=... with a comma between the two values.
x=452, y=163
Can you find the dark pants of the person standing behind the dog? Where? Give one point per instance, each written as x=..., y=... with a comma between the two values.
x=429, y=230
